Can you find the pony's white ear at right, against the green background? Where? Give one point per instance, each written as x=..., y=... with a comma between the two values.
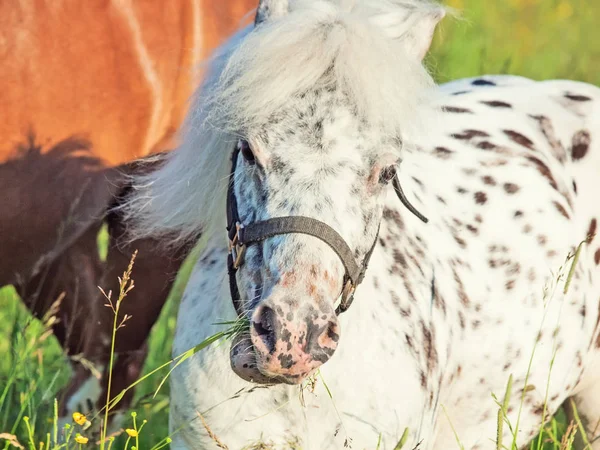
x=415, y=27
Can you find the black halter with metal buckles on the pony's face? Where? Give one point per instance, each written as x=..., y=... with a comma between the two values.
x=241, y=236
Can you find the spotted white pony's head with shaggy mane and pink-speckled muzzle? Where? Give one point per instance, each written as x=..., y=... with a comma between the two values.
x=320, y=98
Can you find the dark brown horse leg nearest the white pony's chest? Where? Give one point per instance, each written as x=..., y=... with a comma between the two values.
x=154, y=272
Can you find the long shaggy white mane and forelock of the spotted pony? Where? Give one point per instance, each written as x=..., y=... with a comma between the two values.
x=361, y=46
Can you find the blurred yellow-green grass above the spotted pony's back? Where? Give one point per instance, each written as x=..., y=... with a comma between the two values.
x=539, y=39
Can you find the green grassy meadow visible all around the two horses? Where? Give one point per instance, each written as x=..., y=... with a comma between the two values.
x=540, y=39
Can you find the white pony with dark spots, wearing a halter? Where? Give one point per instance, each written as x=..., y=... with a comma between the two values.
x=330, y=116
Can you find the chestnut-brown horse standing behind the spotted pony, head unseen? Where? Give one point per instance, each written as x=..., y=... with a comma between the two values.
x=89, y=86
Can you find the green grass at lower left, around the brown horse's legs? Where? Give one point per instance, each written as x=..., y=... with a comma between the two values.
x=18, y=333
